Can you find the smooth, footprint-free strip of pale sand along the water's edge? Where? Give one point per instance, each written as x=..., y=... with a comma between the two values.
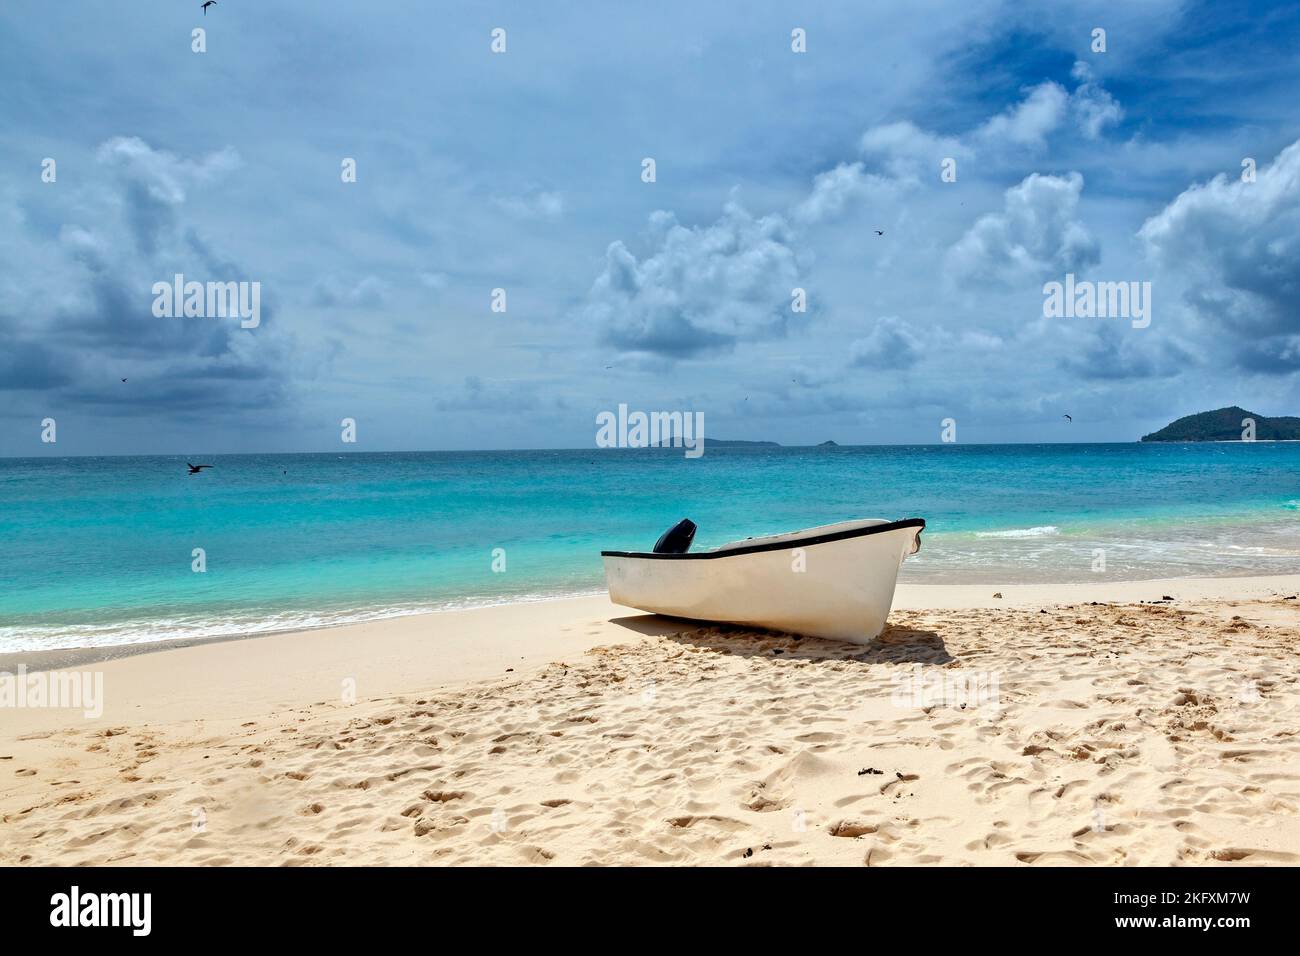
x=227, y=677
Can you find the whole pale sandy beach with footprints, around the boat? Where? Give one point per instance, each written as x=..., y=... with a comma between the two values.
x=1123, y=724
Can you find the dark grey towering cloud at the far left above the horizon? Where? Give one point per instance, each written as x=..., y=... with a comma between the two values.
x=102, y=326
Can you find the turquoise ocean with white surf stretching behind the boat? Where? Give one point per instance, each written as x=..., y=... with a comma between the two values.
x=101, y=551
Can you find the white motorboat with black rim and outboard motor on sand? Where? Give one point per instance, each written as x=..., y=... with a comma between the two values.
x=837, y=581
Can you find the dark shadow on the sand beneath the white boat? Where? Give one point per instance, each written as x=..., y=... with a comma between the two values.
x=896, y=644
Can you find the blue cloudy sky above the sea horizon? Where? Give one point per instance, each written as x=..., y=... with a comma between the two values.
x=523, y=171
